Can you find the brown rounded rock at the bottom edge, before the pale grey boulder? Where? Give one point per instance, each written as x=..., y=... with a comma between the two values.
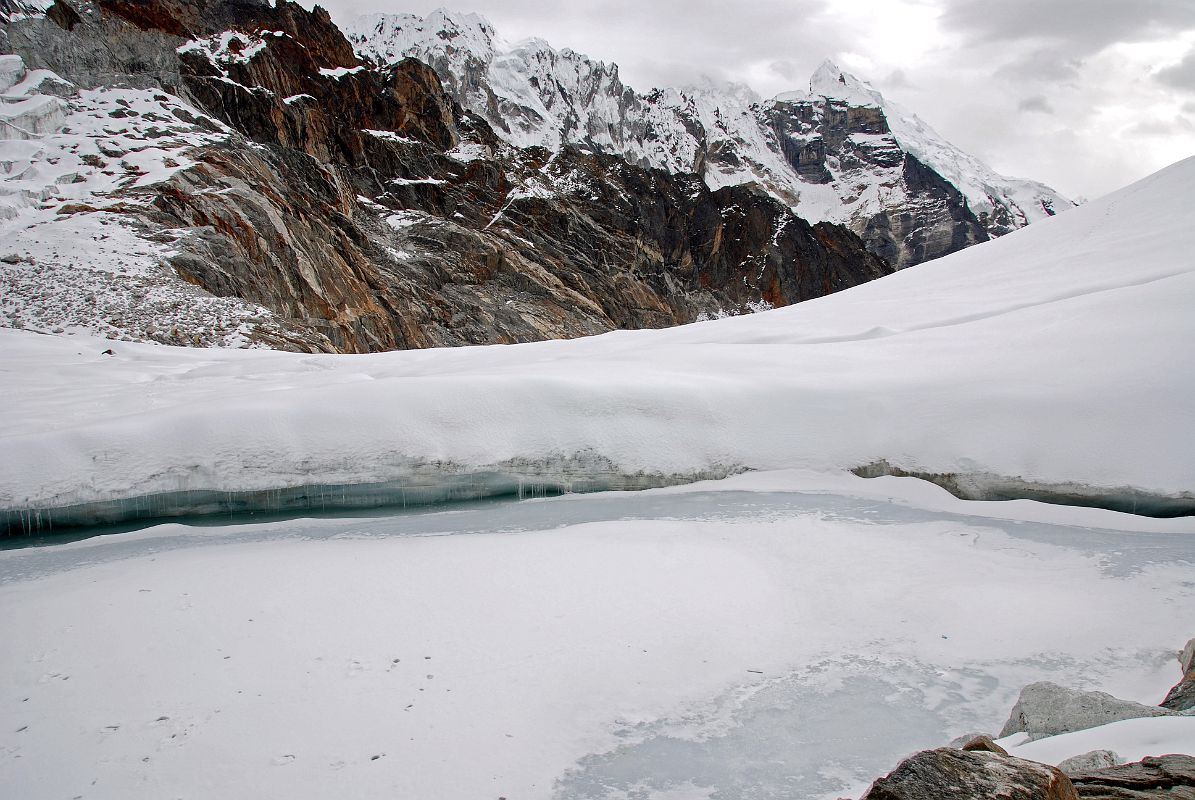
x=961, y=775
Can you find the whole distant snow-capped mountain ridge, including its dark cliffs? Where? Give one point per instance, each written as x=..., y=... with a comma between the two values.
x=839, y=152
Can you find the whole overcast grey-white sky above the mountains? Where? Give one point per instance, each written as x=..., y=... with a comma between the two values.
x=1083, y=95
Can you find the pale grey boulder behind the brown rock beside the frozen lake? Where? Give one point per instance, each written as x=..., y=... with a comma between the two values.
x=1046, y=710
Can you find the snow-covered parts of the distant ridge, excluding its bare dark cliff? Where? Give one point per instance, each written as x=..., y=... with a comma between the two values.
x=536, y=95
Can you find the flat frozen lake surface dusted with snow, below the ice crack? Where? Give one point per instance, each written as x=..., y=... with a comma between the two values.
x=773, y=636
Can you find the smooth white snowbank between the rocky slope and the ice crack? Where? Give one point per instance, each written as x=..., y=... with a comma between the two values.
x=1061, y=353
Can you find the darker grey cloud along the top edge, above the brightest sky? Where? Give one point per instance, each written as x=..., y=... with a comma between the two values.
x=1081, y=27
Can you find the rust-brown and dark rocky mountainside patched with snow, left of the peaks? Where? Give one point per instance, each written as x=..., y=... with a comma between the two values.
x=356, y=207
